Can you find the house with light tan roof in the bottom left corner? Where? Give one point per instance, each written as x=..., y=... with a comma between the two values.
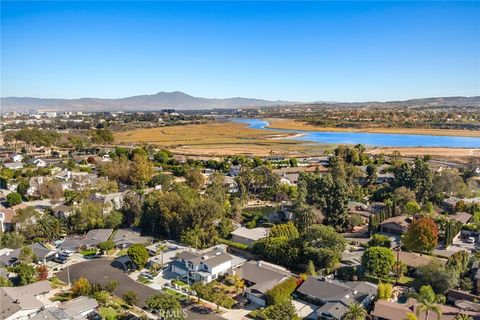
x=22, y=302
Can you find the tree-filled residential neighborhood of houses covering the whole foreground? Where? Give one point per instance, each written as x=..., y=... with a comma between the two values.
x=237, y=244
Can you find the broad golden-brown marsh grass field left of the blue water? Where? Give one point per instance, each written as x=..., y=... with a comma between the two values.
x=222, y=138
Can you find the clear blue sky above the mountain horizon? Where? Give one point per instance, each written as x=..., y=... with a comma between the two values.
x=308, y=51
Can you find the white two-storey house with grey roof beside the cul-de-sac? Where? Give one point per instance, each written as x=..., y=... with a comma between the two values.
x=206, y=265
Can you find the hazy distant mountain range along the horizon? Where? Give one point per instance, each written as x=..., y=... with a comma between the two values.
x=182, y=101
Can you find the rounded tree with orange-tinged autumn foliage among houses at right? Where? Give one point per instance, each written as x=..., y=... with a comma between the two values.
x=422, y=235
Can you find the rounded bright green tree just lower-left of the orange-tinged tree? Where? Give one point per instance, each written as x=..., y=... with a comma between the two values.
x=378, y=261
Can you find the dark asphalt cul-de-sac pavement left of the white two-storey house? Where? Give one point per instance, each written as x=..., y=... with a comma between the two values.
x=101, y=271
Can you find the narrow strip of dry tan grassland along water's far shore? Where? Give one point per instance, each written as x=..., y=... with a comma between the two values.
x=300, y=125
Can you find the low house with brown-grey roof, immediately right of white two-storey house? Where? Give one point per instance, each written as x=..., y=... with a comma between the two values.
x=259, y=277
